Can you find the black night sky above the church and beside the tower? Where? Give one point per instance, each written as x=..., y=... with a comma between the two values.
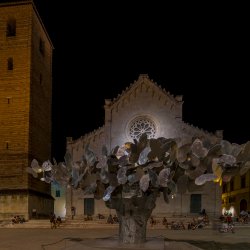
x=101, y=49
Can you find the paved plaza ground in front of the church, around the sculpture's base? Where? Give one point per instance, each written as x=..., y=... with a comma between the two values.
x=104, y=237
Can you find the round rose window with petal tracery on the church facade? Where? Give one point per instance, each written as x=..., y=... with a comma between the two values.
x=140, y=126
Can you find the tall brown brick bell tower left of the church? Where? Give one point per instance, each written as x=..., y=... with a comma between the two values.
x=25, y=109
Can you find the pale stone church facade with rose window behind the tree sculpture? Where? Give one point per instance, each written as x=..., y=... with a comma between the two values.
x=144, y=107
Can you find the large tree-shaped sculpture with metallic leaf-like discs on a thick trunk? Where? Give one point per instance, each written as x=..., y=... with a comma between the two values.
x=130, y=178
